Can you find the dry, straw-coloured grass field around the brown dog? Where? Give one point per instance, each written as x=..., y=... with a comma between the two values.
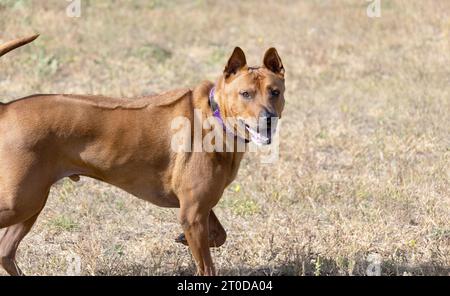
x=365, y=150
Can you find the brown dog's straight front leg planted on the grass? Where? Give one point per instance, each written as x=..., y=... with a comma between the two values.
x=194, y=220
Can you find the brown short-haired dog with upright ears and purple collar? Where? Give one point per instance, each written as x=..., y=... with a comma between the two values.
x=127, y=143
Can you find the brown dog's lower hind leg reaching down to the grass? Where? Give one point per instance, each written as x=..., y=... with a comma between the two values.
x=9, y=242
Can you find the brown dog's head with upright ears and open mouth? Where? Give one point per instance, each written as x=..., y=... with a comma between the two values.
x=253, y=96
